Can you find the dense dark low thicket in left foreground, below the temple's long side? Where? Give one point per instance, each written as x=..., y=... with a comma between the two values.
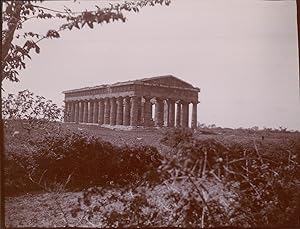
x=81, y=161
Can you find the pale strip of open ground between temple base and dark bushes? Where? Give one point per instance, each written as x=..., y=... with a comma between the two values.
x=152, y=136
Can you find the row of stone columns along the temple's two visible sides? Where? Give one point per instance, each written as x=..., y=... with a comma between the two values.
x=131, y=111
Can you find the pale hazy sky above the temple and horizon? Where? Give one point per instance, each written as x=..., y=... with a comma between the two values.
x=242, y=54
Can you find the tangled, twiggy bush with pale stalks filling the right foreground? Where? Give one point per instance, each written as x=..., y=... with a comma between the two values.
x=209, y=184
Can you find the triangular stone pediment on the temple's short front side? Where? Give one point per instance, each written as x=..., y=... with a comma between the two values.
x=168, y=80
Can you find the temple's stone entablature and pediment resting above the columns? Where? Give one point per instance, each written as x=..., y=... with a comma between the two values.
x=167, y=86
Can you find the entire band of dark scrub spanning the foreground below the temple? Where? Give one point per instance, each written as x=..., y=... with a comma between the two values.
x=192, y=182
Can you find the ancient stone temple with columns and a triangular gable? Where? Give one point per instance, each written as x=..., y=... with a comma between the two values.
x=131, y=103
